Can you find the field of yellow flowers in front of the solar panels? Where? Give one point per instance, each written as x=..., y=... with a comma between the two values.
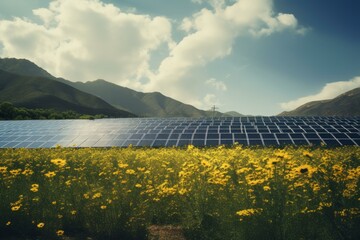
x=211, y=193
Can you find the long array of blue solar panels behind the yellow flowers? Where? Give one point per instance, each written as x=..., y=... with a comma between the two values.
x=167, y=132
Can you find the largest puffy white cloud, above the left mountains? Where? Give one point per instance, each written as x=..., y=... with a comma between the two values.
x=87, y=39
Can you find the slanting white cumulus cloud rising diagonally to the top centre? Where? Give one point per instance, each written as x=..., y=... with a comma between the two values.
x=210, y=36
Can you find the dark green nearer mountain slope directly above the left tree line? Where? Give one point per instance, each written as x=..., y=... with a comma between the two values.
x=40, y=92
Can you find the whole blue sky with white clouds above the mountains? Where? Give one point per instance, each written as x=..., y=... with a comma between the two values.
x=258, y=57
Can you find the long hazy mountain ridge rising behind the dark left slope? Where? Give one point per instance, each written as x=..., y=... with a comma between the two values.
x=152, y=104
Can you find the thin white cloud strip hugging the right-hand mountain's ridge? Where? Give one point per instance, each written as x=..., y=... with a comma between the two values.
x=329, y=91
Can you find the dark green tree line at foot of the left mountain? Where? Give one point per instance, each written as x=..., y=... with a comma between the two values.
x=10, y=112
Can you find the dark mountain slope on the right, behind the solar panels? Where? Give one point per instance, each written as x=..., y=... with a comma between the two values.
x=347, y=104
